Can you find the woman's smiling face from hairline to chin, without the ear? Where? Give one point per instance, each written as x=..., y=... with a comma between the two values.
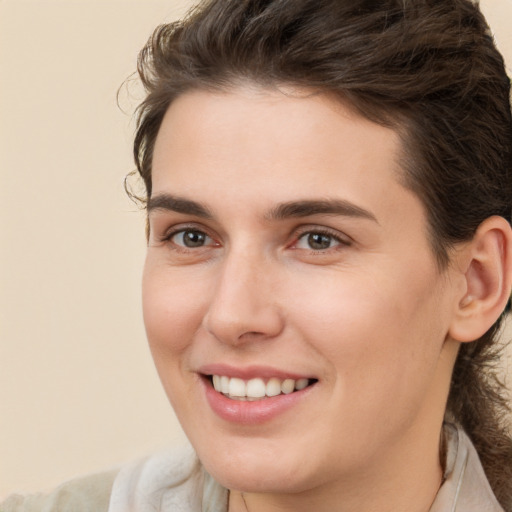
x=283, y=253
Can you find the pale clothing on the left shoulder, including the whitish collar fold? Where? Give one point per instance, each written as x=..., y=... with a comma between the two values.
x=169, y=480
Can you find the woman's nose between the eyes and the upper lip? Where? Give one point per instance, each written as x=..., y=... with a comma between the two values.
x=244, y=302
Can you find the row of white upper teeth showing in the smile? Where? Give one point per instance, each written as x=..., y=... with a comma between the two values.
x=255, y=389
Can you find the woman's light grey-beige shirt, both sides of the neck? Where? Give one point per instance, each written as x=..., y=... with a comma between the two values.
x=175, y=481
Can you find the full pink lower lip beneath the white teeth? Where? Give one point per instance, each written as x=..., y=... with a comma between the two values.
x=252, y=413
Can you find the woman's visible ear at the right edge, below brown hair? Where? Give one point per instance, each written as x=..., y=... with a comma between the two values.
x=487, y=272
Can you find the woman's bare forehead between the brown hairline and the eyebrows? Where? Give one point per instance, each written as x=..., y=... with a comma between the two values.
x=253, y=145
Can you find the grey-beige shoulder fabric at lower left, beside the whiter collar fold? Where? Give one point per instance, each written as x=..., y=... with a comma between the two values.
x=86, y=494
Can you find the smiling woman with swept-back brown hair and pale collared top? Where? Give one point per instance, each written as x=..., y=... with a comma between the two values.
x=329, y=258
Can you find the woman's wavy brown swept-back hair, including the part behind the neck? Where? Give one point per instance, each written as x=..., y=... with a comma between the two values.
x=427, y=68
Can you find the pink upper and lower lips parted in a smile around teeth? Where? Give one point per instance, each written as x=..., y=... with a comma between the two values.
x=255, y=412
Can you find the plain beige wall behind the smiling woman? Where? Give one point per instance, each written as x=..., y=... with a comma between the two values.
x=78, y=391
